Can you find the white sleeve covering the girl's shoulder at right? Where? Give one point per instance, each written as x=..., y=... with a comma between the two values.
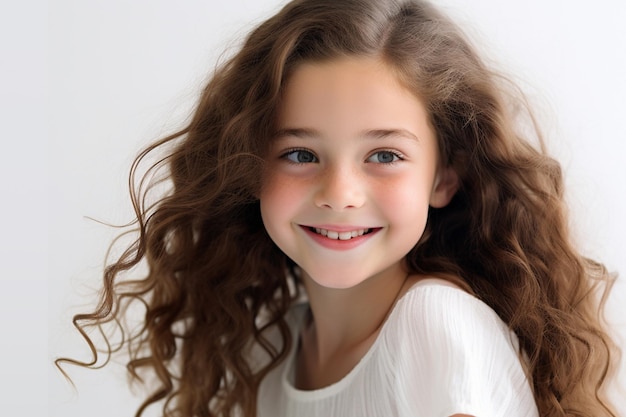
x=453, y=355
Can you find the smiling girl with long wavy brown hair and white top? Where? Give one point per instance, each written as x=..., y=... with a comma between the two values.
x=356, y=225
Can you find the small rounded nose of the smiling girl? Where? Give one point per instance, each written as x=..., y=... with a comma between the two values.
x=340, y=189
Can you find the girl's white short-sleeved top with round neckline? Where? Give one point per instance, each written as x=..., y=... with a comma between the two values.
x=440, y=352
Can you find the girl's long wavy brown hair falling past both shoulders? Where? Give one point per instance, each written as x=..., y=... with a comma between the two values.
x=215, y=282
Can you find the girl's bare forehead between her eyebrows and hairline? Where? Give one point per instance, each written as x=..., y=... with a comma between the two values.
x=357, y=93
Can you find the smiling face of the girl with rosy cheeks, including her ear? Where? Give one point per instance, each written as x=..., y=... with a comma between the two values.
x=351, y=173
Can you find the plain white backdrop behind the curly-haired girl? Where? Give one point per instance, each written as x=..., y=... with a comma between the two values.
x=123, y=73
